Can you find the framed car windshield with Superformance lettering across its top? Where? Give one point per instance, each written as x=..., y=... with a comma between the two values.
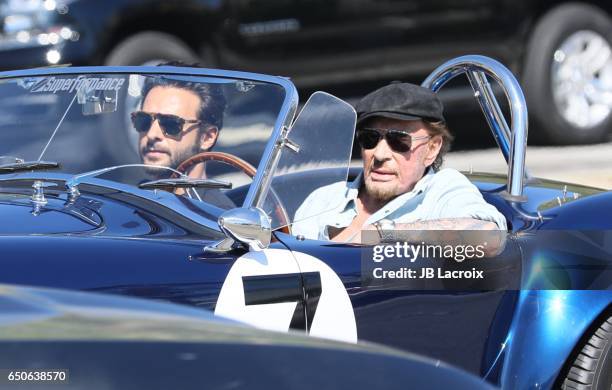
x=149, y=124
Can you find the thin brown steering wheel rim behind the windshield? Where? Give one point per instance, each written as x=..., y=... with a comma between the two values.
x=279, y=210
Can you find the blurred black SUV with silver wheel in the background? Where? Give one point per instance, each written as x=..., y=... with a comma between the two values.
x=561, y=51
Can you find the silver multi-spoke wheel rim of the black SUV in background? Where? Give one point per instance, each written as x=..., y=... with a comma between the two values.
x=582, y=79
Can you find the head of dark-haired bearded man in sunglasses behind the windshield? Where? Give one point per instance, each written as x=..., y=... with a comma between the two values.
x=178, y=119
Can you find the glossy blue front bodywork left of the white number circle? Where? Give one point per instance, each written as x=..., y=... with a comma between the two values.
x=108, y=240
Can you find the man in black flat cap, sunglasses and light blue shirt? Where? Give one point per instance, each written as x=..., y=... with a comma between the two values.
x=403, y=138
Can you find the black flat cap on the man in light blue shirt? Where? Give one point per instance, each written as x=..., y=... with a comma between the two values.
x=402, y=101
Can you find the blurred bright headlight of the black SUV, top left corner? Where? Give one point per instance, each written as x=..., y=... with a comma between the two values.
x=30, y=23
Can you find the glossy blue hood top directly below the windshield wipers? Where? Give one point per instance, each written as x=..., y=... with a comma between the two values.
x=100, y=211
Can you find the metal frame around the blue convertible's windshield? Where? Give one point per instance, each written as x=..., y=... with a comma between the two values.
x=283, y=121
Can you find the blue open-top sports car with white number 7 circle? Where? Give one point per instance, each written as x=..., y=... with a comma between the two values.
x=89, y=202
